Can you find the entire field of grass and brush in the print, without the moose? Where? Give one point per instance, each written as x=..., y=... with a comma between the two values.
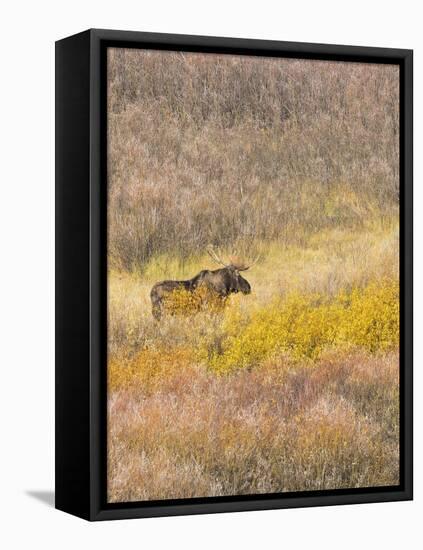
x=293, y=163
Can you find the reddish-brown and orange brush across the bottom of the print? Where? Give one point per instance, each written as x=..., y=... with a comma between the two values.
x=281, y=427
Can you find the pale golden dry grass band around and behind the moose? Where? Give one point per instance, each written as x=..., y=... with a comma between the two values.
x=325, y=265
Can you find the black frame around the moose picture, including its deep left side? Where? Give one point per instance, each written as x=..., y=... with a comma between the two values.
x=81, y=274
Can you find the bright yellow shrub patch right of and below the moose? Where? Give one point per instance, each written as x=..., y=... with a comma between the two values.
x=304, y=325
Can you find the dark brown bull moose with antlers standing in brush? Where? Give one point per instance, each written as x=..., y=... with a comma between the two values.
x=220, y=282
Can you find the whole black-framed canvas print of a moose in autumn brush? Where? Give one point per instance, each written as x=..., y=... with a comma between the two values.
x=233, y=274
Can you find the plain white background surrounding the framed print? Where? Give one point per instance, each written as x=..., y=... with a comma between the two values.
x=28, y=32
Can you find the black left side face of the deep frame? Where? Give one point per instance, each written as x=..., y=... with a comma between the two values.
x=72, y=392
